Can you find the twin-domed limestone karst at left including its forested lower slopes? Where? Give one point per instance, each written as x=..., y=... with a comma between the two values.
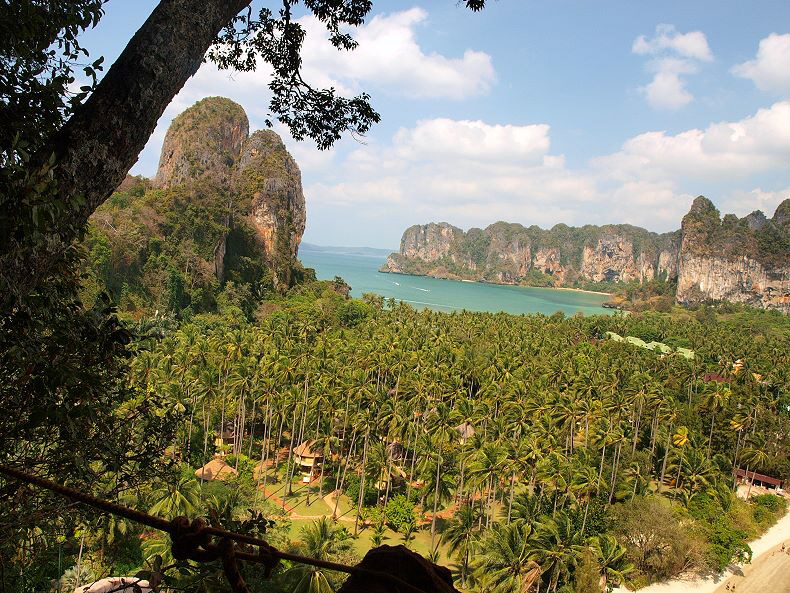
x=219, y=225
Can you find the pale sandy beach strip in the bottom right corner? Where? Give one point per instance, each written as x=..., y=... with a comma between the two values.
x=769, y=571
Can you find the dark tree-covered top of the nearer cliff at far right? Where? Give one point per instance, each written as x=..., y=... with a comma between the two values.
x=766, y=240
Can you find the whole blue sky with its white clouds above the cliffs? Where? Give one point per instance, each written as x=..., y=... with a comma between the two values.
x=531, y=111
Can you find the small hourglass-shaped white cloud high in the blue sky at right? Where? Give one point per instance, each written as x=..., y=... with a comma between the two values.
x=675, y=54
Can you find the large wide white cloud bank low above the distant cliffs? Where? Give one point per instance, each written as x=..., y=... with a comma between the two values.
x=474, y=173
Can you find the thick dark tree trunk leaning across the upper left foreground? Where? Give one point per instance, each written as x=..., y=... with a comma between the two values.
x=103, y=138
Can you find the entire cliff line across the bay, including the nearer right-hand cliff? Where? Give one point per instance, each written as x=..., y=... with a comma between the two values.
x=740, y=260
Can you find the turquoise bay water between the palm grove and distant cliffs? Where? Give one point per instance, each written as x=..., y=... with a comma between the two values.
x=361, y=272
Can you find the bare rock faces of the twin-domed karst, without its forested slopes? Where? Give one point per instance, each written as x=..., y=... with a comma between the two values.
x=210, y=142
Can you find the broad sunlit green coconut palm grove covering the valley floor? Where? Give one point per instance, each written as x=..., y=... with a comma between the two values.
x=525, y=451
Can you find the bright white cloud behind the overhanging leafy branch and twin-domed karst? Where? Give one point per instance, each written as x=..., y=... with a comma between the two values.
x=388, y=59
